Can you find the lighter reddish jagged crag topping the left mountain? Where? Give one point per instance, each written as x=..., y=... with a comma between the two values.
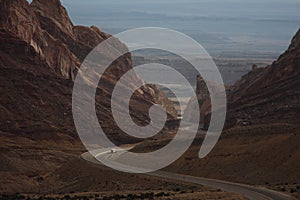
x=19, y=18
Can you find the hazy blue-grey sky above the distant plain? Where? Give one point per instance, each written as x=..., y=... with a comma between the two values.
x=221, y=27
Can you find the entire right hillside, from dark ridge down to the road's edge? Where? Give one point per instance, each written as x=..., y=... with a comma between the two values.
x=260, y=144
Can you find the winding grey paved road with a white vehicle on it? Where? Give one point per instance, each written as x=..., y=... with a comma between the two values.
x=250, y=192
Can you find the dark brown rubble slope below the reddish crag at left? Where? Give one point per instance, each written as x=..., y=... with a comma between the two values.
x=30, y=92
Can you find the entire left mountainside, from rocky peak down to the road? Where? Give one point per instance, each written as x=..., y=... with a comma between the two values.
x=40, y=53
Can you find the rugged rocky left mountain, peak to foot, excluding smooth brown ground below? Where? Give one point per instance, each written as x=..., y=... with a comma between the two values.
x=39, y=44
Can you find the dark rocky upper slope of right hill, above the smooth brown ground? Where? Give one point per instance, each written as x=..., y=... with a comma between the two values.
x=271, y=94
